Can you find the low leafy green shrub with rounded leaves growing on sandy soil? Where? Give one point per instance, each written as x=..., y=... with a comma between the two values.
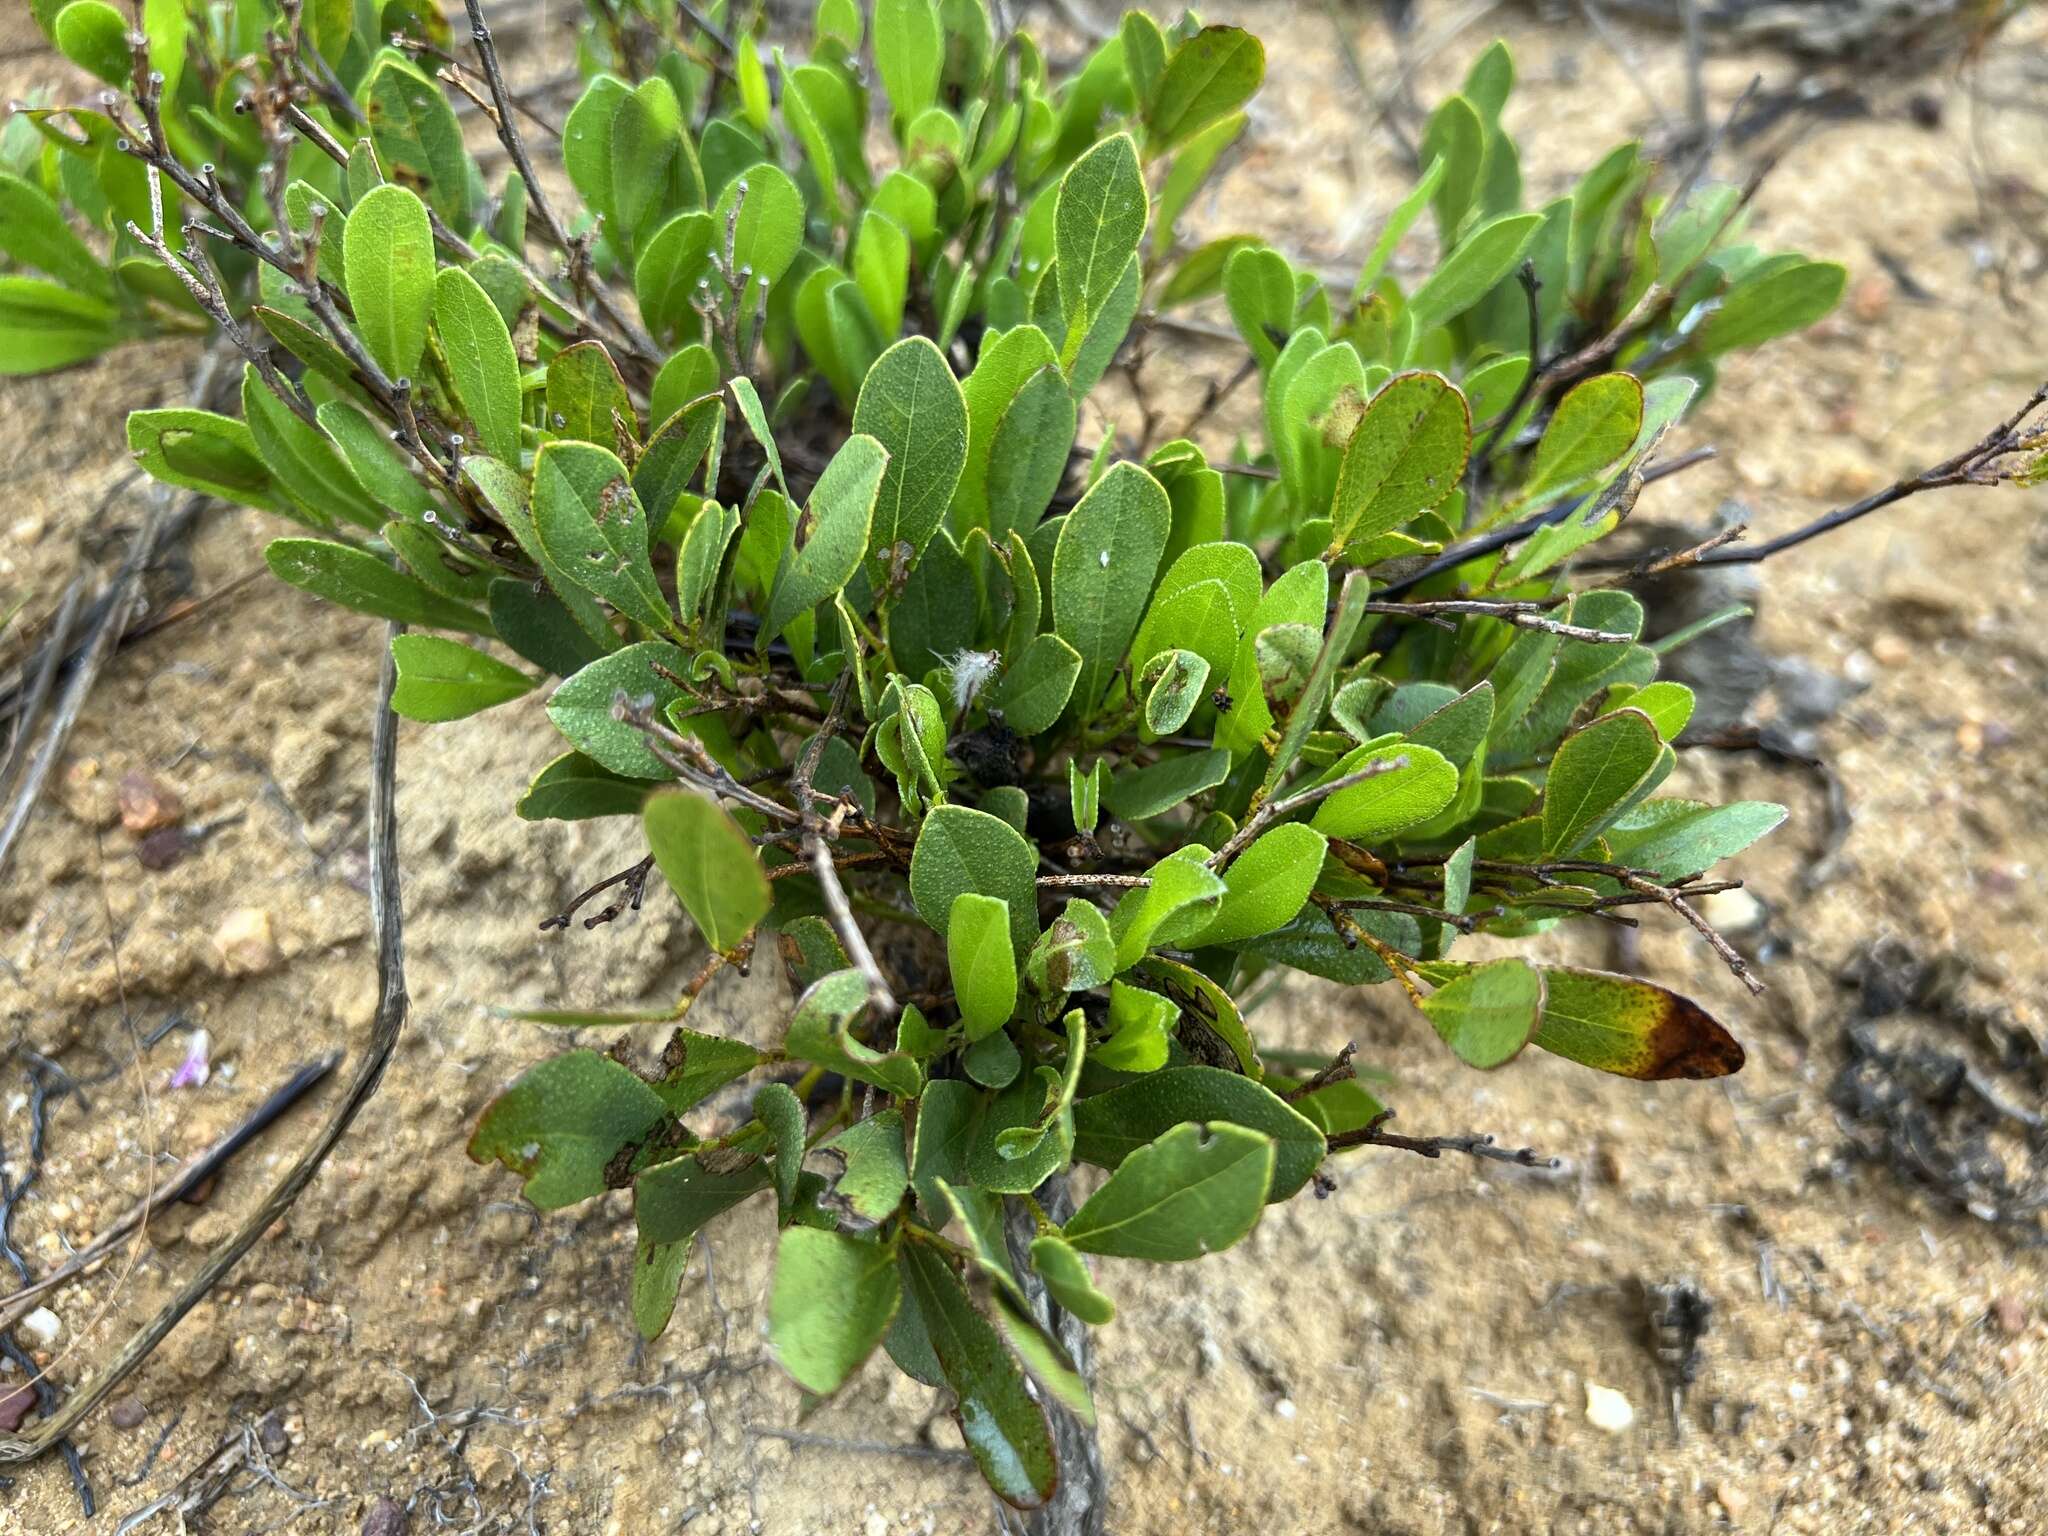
x=761, y=456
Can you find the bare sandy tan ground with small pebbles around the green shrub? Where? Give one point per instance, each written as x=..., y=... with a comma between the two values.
x=1408, y=1357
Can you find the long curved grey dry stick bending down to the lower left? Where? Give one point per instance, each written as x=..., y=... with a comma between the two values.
x=392, y=1007
